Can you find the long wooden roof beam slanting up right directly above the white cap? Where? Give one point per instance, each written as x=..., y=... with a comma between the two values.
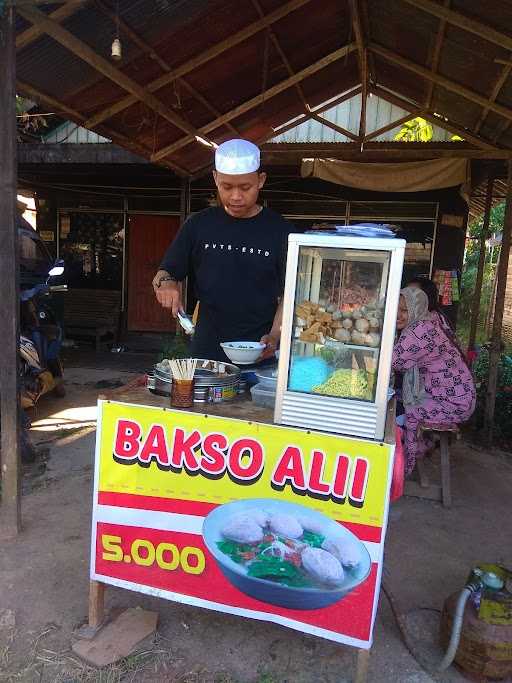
x=259, y=99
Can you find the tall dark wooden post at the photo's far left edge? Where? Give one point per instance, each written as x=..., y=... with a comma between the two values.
x=10, y=509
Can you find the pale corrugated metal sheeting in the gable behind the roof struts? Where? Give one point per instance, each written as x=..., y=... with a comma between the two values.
x=379, y=113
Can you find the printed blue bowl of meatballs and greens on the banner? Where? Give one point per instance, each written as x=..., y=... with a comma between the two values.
x=284, y=553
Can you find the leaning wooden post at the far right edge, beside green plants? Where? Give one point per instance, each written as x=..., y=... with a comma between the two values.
x=501, y=286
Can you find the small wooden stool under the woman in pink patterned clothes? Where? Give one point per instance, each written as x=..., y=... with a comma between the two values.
x=426, y=490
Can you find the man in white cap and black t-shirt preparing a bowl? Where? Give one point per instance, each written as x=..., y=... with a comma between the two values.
x=235, y=254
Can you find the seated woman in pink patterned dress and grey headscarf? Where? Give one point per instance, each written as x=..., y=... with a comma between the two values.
x=437, y=387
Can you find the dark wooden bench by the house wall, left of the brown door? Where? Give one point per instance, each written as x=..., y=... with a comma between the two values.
x=92, y=314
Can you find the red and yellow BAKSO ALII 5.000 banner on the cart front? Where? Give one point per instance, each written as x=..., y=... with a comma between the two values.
x=267, y=522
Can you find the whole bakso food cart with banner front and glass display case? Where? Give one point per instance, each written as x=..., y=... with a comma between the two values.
x=277, y=516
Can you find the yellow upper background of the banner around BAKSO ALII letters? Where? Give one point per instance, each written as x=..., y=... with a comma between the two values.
x=150, y=481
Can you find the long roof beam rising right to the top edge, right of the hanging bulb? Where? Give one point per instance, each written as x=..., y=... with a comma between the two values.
x=200, y=59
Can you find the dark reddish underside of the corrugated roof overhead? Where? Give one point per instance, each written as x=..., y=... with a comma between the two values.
x=401, y=40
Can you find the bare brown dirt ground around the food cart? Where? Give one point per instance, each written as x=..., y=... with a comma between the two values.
x=44, y=573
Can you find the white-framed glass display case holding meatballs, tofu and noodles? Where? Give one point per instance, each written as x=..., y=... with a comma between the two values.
x=340, y=307
